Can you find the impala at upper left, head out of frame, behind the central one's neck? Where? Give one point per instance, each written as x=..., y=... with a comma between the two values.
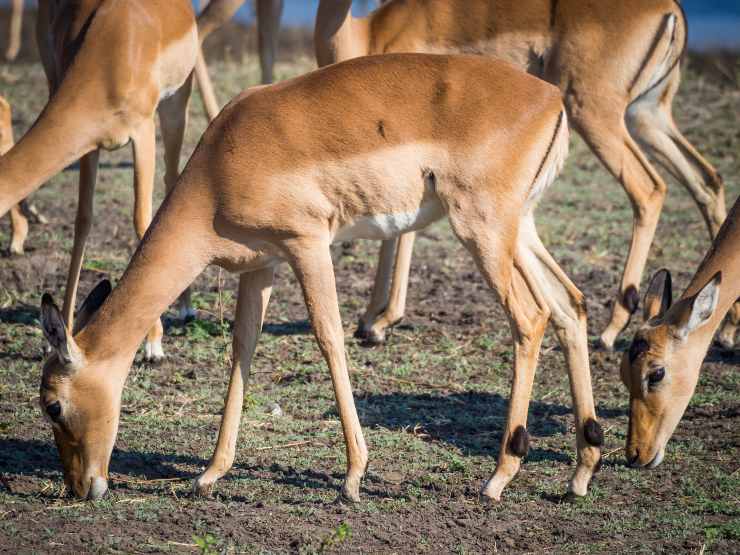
x=111, y=64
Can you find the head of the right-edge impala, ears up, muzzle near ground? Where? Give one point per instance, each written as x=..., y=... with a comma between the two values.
x=661, y=367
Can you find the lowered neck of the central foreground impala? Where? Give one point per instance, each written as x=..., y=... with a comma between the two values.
x=177, y=247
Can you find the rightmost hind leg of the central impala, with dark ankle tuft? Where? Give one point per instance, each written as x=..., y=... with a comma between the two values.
x=568, y=316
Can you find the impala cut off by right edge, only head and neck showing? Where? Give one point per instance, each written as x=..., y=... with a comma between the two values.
x=662, y=366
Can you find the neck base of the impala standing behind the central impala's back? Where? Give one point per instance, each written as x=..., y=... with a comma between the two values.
x=339, y=36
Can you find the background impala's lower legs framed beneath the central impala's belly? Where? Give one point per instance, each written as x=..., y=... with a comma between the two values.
x=388, y=301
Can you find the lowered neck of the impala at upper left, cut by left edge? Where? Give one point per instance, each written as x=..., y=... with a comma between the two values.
x=56, y=140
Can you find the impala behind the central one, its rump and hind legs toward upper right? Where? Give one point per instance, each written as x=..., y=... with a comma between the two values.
x=616, y=64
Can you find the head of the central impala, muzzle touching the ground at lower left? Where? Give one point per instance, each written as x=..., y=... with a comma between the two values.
x=81, y=407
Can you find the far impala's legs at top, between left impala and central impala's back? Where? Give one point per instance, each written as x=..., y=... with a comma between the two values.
x=215, y=14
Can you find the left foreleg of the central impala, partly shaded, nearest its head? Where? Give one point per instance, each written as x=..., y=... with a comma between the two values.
x=251, y=304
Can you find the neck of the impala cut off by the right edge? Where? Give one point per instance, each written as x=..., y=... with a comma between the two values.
x=722, y=257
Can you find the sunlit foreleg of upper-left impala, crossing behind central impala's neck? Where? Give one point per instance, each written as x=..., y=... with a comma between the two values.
x=144, y=145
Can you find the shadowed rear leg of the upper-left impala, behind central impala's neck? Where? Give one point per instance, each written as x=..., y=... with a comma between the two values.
x=173, y=118
